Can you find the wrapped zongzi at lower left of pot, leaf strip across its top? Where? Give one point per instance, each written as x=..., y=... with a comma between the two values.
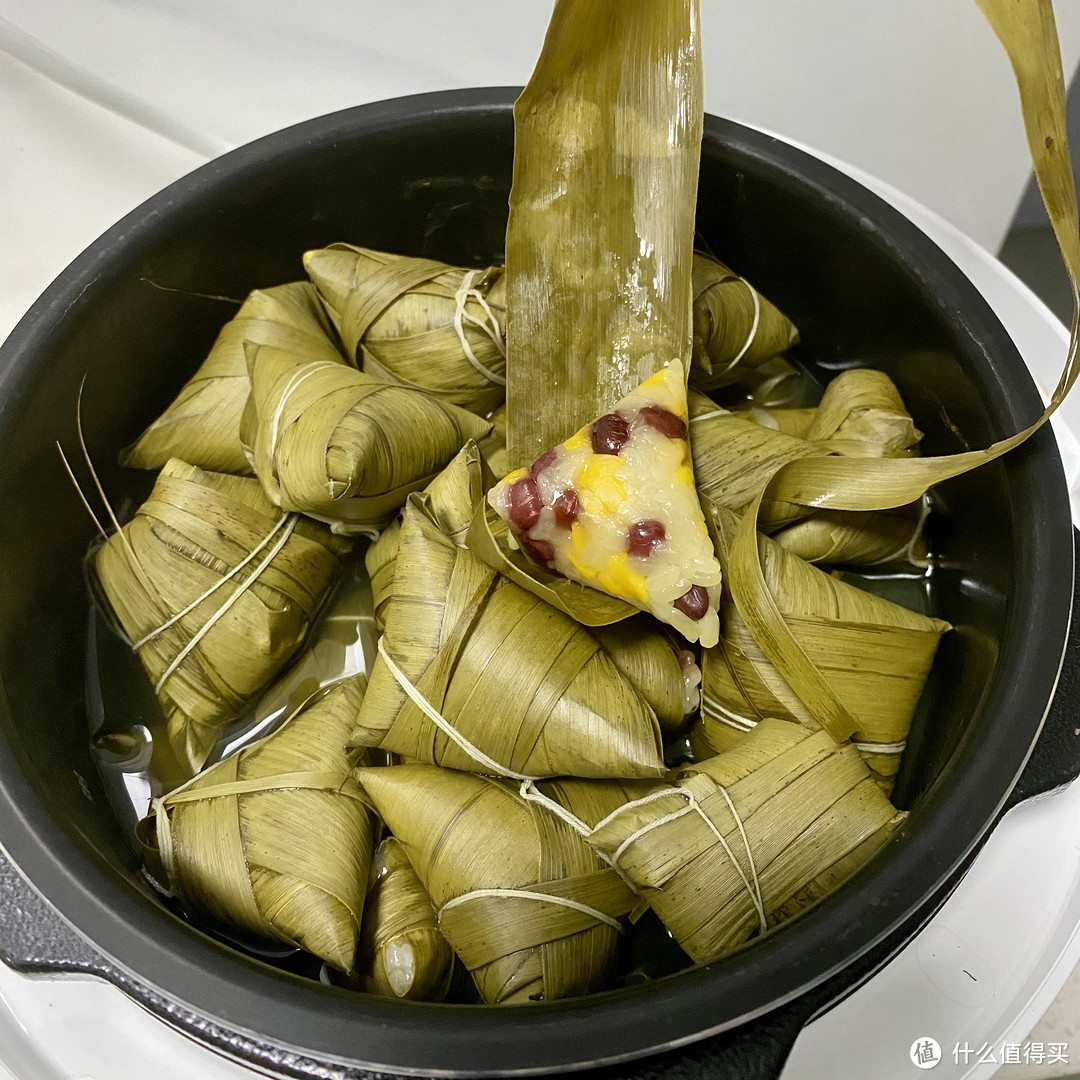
x=275, y=841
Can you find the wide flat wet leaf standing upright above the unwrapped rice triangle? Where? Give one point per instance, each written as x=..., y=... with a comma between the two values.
x=600, y=301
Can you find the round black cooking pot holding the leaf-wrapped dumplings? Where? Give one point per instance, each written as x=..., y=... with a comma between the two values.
x=430, y=177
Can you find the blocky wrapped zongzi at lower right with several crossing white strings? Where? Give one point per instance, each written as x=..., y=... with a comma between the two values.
x=747, y=839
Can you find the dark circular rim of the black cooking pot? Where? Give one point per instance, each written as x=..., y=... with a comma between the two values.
x=247, y=996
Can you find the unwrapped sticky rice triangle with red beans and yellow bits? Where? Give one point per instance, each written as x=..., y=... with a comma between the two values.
x=615, y=508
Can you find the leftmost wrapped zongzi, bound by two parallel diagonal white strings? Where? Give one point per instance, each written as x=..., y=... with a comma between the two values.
x=217, y=590
